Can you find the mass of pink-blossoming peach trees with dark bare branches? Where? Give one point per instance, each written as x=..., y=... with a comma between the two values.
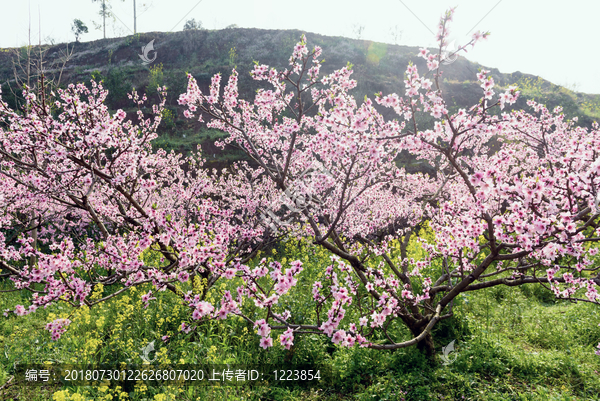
x=510, y=198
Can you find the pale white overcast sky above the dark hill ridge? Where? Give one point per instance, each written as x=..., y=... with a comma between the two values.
x=555, y=40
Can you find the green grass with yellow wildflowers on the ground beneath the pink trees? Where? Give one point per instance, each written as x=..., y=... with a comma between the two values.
x=511, y=344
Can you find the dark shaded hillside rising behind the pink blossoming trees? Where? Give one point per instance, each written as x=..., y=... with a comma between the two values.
x=377, y=67
